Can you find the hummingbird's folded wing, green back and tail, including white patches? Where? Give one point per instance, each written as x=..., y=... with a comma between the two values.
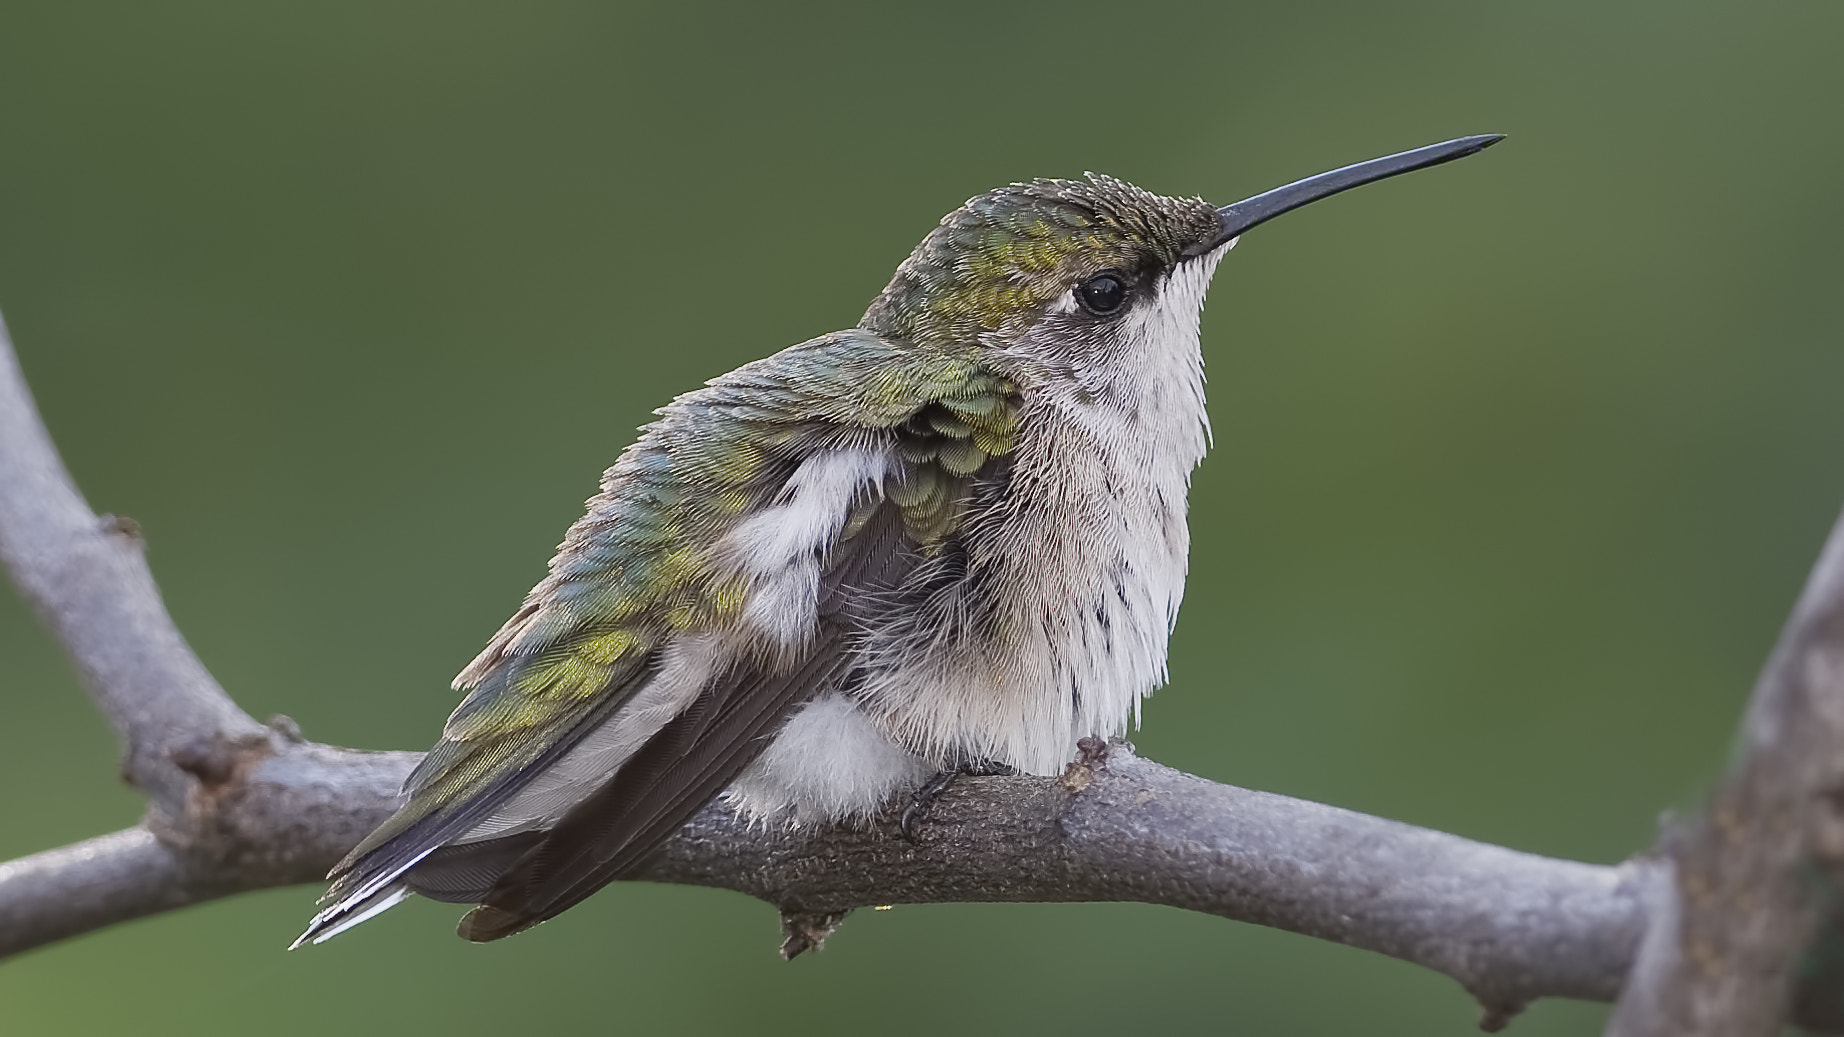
x=716, y=584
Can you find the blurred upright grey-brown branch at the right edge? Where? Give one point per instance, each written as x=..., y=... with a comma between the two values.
x=1745, y=905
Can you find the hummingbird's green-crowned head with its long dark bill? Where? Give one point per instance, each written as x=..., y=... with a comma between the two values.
x=1074, y=274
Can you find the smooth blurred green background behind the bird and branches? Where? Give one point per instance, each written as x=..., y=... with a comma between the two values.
x=1520, y=462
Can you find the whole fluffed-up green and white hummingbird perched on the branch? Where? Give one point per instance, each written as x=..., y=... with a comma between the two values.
x=949, y=540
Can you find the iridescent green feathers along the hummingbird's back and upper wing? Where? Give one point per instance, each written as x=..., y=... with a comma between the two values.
x=637, y=567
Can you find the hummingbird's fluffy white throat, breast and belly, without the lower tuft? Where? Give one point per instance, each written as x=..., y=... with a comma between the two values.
x=1091, y=556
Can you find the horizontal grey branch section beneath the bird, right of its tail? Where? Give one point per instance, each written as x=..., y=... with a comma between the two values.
x=1509, y=927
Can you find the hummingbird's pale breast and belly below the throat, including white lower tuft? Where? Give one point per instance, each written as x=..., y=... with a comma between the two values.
x=1054, y=630
